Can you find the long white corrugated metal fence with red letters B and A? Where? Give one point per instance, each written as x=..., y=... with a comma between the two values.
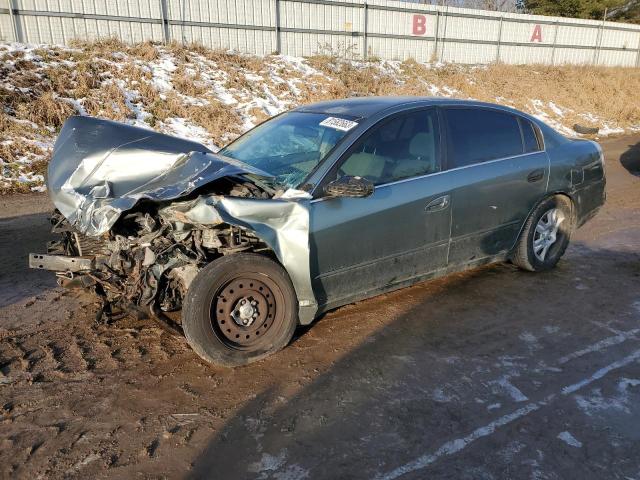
x=385, y=29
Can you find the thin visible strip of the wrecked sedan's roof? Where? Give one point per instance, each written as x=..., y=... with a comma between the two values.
x=364, y=107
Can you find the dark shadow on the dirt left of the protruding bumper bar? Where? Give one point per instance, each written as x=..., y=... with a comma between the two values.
x=20, y=236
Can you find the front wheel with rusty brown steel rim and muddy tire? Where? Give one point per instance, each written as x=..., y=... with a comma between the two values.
x=239, y=309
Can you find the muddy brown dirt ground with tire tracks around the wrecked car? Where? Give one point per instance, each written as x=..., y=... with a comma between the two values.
x=495, y=373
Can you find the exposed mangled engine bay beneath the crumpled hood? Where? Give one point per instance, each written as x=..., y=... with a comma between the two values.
x=147, y=260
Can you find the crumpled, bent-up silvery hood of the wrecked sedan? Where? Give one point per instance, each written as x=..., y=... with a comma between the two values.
x=100, y=169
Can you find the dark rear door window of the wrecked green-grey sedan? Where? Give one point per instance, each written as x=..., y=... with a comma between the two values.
x=479, y=135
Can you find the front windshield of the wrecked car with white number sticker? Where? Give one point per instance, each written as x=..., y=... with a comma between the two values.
x=291, y=145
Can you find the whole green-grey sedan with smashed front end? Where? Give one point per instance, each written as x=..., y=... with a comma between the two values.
x=313, y=209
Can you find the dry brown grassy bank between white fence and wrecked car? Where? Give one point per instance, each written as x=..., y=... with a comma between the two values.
x=96, y=74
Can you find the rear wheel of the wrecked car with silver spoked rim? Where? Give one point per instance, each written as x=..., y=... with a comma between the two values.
x=545, y=235
